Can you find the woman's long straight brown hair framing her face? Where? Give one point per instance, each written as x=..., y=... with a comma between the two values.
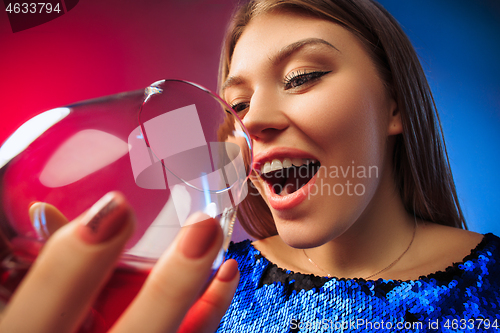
x=420, y=162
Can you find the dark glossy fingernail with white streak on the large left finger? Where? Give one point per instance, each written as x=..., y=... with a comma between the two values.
x=104, y=219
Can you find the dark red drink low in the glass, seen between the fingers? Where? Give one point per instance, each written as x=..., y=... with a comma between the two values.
x=115, y=297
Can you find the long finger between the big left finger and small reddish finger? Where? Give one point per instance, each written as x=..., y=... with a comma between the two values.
x=177, y=279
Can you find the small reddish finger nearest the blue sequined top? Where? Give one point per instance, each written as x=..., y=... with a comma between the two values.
x=205, y=315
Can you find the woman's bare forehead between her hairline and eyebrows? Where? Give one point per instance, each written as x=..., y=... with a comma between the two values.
x=267, y=34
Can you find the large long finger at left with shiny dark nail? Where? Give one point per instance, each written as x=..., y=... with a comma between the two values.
x=70, y=270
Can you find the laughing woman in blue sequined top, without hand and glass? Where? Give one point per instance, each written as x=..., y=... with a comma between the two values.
x=354, y=207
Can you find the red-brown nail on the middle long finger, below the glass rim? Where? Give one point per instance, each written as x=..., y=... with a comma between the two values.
x=199, y=237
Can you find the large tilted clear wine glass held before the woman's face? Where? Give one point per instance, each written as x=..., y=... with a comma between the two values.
x=172, y=149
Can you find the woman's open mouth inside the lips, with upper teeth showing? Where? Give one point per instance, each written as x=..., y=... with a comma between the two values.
x=289, y=175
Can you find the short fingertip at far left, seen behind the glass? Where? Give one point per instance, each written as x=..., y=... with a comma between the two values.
x=46, y=219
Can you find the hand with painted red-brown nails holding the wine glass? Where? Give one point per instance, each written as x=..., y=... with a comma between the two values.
x=79, y=257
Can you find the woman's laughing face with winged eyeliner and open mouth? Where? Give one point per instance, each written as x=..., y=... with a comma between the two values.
x=310, y=95
